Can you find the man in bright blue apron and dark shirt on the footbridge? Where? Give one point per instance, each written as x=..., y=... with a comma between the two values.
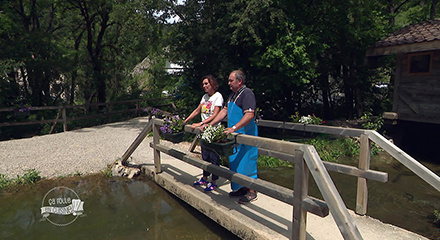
x=240, y=110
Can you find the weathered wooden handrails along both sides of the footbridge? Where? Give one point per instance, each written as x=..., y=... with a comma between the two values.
x=309, y=161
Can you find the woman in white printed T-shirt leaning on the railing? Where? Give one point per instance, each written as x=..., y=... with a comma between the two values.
x=209, y=107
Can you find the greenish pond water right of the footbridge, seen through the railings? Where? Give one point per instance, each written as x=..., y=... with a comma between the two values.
x=404, y=201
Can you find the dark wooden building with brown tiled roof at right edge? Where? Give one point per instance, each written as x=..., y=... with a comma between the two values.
x=417, y=77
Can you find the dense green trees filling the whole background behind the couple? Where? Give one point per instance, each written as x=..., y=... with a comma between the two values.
x=301, y=58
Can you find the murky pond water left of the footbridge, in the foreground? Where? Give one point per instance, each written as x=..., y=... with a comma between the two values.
x=114, y=208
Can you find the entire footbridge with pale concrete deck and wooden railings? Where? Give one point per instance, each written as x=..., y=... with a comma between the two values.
x=282, y=213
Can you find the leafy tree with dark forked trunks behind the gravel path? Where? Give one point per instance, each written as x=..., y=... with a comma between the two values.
x=107, y=39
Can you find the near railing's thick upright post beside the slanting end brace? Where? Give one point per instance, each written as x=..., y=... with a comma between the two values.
x=300, y=193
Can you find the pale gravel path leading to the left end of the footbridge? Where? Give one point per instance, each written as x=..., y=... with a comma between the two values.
x=87, y=150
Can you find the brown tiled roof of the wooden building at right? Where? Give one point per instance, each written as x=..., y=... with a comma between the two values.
x=412, y=38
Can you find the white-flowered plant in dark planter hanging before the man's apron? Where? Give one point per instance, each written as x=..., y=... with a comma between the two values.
x=215, y=139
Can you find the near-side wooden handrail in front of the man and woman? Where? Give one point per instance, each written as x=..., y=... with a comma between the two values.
x=300, y=154
